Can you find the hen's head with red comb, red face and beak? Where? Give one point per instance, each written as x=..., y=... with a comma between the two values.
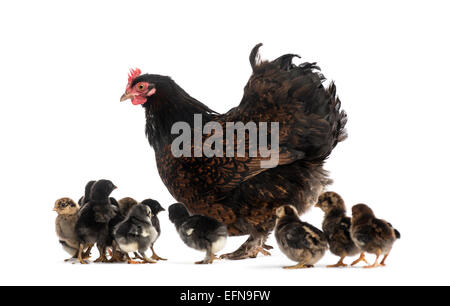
x=141, y=87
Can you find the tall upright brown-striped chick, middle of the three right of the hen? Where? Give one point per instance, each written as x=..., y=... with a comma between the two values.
x=336, y=227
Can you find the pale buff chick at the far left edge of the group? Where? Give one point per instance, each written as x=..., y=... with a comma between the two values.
x=67, y=217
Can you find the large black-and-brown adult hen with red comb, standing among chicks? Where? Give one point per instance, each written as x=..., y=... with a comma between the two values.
x=237, y=190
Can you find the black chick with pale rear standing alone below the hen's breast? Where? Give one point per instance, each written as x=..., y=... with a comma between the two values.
x=199, y=232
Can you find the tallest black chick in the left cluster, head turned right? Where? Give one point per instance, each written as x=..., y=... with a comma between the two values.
x=93, y=224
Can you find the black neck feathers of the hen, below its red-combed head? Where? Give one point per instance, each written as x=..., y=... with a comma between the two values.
x=171, y=104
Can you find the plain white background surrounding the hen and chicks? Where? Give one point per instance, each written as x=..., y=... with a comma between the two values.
x=63, y=68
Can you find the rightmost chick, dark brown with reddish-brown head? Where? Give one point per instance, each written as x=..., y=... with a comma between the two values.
x=371, y=235
